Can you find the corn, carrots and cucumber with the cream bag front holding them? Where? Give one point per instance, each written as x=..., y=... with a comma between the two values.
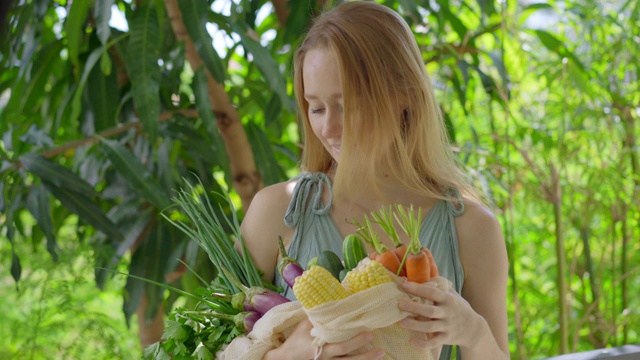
x=343, y=299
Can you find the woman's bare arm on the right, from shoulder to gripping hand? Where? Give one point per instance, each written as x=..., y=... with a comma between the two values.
x=477, y=320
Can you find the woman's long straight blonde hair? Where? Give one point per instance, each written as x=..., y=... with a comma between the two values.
x=392, y=123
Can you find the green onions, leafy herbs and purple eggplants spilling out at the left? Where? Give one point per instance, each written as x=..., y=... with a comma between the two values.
x=232, y=303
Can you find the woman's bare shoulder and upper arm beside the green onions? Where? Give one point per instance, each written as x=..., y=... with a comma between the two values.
x=263, y=223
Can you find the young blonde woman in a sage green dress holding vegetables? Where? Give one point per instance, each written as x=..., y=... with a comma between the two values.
x=373, y=136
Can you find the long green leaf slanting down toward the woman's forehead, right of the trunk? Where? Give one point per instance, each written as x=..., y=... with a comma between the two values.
x=267, y=65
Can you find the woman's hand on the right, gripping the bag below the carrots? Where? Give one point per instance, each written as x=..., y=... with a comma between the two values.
x=447, y=320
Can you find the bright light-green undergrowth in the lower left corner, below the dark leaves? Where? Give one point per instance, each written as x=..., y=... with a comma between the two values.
x=56, y=311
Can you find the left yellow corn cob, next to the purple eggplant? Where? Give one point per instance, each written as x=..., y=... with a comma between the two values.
x=317, y=286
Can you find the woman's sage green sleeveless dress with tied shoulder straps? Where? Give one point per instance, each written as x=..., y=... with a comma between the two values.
x=315, y=231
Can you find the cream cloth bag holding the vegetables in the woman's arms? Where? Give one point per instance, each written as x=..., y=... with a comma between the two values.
x=375, y=309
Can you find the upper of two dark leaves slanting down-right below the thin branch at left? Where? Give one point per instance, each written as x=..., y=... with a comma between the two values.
x=56, y=174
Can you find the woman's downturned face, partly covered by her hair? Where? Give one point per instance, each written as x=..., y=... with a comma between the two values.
x=323, y=93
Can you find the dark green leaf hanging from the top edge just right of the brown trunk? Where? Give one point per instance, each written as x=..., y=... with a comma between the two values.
x=195, y=13
